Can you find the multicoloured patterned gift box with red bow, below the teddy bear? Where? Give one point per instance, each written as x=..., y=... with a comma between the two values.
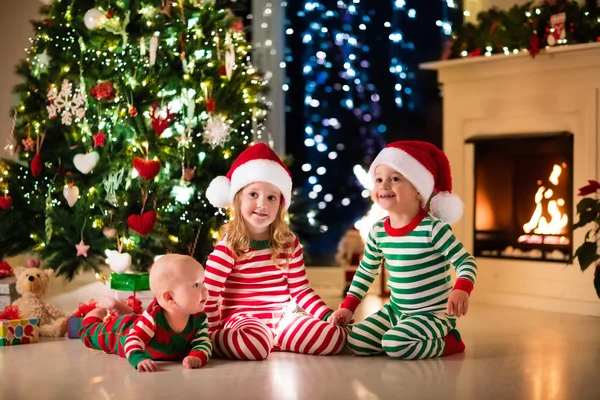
x=16, y=330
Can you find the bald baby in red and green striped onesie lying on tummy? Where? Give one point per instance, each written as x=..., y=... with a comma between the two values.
x=173, y=327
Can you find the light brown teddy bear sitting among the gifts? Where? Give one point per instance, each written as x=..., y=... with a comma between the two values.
x=32, y=284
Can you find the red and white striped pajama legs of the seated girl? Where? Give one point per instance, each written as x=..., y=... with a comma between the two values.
x=244, y=337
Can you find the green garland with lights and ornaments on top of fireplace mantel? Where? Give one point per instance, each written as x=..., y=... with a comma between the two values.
x=526, y=27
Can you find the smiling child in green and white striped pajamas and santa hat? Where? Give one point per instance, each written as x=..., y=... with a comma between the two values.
x=416, y=248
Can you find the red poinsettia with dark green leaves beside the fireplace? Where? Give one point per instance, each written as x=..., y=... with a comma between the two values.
x=588, y=210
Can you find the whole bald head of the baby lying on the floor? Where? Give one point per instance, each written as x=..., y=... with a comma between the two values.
x=177, y=282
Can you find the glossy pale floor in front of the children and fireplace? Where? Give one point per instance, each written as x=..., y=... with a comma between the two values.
x=511, y=354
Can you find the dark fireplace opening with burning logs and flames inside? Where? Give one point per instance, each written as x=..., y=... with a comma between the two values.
x=523, y=196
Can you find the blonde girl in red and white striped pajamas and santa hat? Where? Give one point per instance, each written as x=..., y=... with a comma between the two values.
x=257, y=269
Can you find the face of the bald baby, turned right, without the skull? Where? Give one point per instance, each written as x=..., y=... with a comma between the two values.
x=189, y=291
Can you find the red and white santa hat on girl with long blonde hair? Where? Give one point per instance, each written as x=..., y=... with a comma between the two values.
x=257, y=163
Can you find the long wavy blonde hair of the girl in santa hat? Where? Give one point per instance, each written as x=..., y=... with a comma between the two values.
x=281, y=238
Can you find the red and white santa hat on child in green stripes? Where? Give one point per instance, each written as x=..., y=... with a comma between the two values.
x=428, y=169
